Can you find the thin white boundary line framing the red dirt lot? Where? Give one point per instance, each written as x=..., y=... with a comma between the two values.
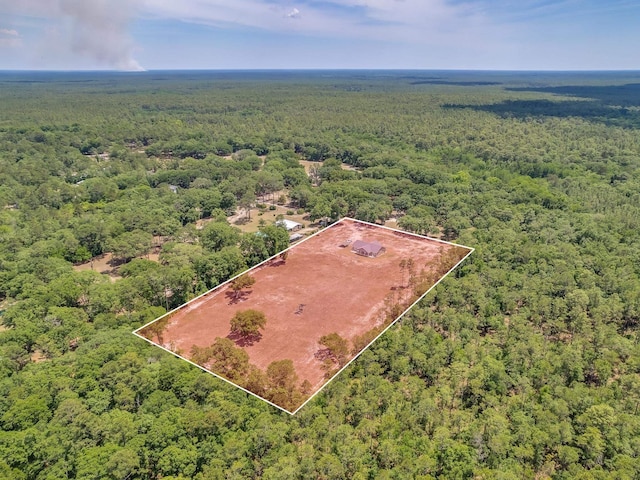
x=135, y=332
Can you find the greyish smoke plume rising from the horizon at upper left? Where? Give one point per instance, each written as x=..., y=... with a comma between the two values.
x=100, y=30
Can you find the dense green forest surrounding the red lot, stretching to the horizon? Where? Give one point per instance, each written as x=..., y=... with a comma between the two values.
x=523, y=363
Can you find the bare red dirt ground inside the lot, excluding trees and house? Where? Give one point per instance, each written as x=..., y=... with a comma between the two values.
x=342, y=292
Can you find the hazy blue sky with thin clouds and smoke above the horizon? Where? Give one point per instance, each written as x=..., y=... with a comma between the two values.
x=320, y=34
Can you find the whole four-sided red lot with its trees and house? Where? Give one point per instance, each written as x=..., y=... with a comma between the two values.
x=283, y=329
